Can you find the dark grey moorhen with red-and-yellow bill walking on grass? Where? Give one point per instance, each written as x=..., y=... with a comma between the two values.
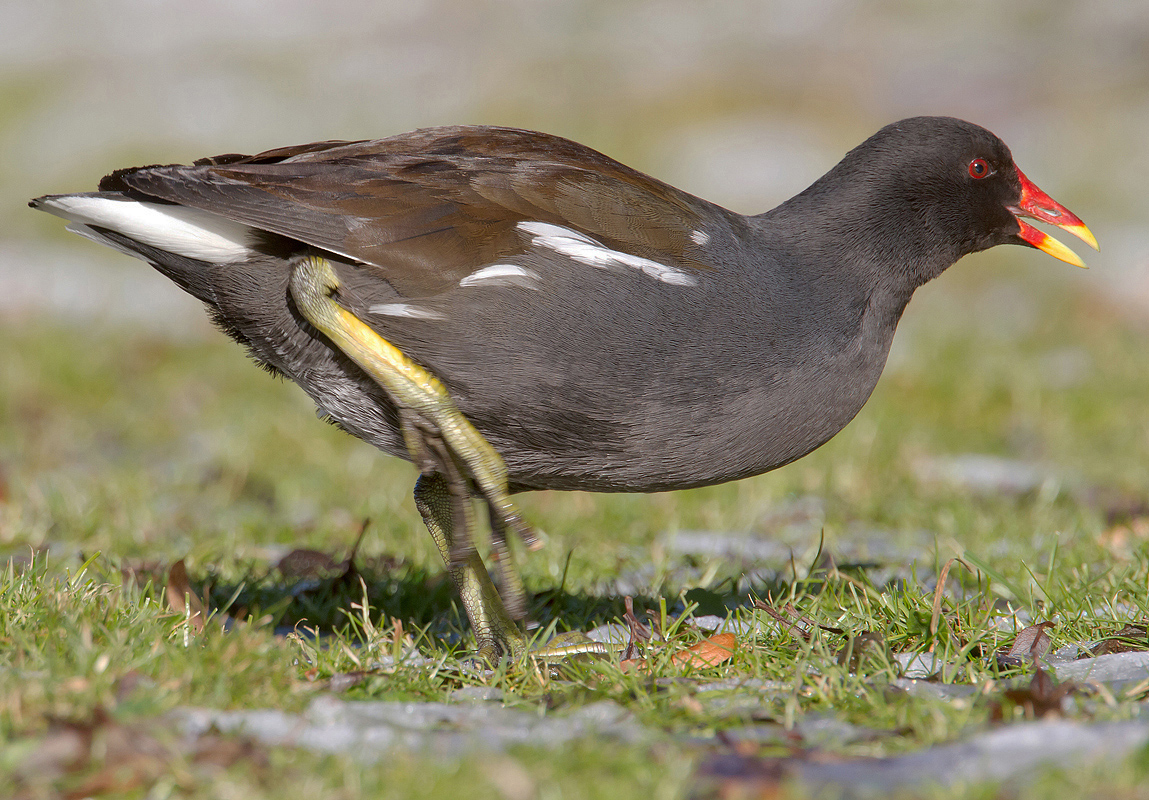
x=512, y=311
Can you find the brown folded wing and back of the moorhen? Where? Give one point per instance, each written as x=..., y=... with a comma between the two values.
x=431, y=206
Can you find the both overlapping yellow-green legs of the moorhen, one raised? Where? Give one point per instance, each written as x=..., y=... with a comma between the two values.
x=439, y=439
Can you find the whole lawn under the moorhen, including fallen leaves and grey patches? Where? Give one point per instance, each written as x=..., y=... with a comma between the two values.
x=127, y=457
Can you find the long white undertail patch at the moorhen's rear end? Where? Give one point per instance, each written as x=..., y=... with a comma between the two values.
x=178, y=229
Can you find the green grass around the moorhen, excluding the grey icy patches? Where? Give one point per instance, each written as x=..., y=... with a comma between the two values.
x=122, y=453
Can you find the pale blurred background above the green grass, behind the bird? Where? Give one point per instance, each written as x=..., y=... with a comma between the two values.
x=742, y=102
